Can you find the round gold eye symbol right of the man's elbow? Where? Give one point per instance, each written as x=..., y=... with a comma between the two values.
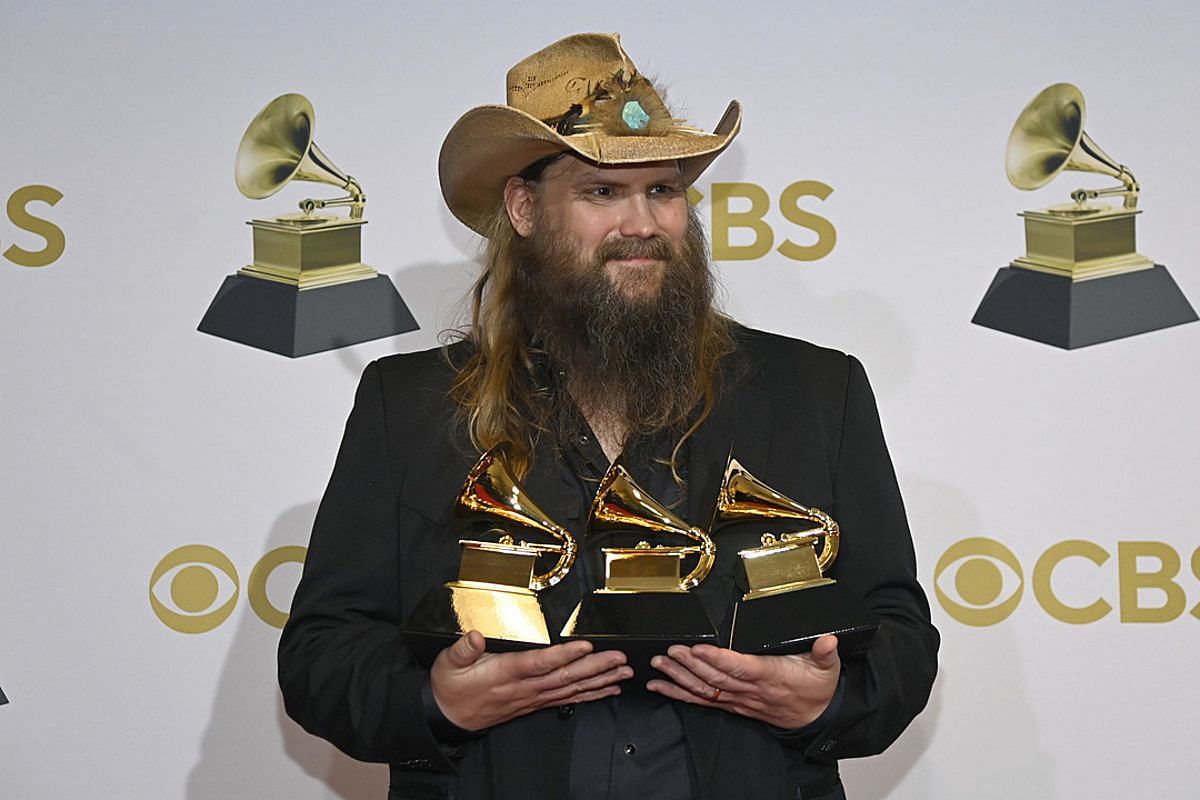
x=979, y=581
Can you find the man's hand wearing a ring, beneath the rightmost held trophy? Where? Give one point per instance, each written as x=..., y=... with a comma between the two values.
x=784, y=691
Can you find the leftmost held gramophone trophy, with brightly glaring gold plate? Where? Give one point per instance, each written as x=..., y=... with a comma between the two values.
x=497, y=588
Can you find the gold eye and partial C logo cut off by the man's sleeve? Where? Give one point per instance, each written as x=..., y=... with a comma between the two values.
x=195, y=588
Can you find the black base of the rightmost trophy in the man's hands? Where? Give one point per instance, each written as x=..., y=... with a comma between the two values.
x=790, y=622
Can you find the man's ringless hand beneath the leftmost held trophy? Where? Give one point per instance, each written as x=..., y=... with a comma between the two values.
x=477, y=690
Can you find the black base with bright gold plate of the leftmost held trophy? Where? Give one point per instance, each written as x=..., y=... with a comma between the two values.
x=509, y=619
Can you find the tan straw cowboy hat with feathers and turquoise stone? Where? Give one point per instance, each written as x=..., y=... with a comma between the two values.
x=584, y=95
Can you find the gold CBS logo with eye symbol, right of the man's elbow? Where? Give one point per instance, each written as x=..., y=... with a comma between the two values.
x=981, y=582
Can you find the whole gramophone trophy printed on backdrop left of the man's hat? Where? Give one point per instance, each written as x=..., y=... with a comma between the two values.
x=308, y=290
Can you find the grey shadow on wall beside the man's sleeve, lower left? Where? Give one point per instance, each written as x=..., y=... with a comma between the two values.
x=251, y=749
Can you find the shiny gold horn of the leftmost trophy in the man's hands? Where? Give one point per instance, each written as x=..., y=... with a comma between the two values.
x=493, y=494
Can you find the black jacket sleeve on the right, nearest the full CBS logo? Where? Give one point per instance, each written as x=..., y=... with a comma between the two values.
x=891, y=685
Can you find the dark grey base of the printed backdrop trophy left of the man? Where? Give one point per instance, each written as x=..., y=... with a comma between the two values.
x=280, y=318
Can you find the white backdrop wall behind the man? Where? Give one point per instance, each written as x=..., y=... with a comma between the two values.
x=128, y=435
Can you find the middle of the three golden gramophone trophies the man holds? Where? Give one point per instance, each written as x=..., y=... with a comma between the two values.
x=646, y=605
